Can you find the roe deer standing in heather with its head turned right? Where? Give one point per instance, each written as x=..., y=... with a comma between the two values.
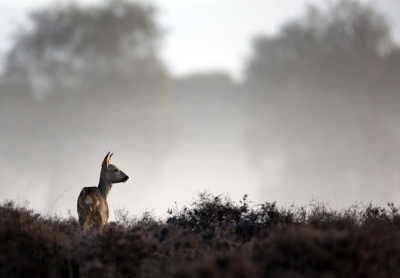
x=92, y=202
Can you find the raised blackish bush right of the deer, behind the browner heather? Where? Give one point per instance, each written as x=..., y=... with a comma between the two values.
x=208, y=212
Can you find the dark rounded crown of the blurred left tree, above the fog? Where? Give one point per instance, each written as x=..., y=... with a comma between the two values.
x=70, y=47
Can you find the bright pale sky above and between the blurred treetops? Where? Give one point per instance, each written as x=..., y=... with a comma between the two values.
x=204, y=35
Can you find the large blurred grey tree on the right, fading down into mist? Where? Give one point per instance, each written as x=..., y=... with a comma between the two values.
x=320, y=96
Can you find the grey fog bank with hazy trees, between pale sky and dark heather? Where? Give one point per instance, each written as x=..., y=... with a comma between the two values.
x=316, y=115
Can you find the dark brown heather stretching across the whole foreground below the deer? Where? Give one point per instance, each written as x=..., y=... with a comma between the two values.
x=211, y=237
